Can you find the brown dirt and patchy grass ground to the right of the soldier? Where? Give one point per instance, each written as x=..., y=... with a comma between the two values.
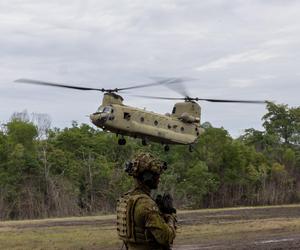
x=259, y=228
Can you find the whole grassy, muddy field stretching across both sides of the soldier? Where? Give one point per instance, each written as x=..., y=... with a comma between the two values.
x=208, y=227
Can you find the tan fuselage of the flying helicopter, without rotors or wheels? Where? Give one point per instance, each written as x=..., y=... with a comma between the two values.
x=139, y=123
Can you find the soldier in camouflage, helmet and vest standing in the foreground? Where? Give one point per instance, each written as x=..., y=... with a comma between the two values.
x=143, y=224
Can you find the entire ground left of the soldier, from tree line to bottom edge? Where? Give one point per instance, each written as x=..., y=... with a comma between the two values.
x=45, y=234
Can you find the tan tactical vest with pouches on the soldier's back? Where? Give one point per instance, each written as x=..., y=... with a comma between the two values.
x=127, y=230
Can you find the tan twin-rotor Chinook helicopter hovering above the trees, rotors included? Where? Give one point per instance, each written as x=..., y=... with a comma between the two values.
x=182, y=126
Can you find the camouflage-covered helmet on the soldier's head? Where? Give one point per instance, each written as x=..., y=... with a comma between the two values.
x=145, y=162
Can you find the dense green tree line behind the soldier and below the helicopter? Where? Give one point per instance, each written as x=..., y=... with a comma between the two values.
x=47, y=172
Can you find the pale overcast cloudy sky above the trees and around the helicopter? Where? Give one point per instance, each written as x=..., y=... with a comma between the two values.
x=233, y=49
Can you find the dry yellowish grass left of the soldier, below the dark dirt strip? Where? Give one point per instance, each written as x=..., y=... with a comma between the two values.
x=83, y=237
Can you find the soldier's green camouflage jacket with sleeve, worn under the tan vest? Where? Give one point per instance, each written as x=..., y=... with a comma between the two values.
x=151, y=230
